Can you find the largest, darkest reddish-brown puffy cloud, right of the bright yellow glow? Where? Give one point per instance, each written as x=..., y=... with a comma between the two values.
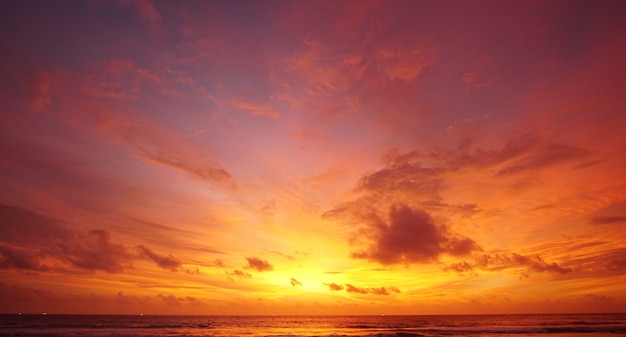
x=411, y=236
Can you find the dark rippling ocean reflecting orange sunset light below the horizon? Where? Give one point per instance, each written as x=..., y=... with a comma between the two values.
x=588, y=325
